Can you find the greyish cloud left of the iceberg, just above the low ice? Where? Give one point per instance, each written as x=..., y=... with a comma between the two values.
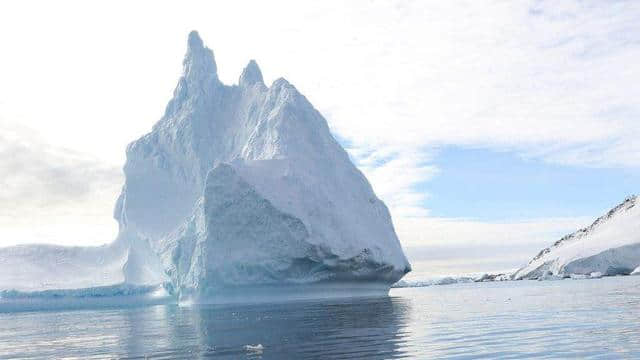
x=51, y=194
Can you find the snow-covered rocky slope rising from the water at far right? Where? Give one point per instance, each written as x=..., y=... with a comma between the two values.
x=610, y=246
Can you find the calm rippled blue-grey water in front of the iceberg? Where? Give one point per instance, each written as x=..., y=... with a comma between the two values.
x=556, y=319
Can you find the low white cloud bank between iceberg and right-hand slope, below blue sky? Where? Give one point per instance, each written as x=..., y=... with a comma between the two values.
x=446, y=246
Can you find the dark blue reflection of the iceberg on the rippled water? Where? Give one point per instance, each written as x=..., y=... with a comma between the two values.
x=370, y=327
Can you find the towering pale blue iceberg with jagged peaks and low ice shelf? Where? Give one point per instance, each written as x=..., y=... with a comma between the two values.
x=236, y=188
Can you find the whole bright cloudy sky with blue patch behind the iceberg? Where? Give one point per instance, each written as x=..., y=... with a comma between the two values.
x=490, y=128
